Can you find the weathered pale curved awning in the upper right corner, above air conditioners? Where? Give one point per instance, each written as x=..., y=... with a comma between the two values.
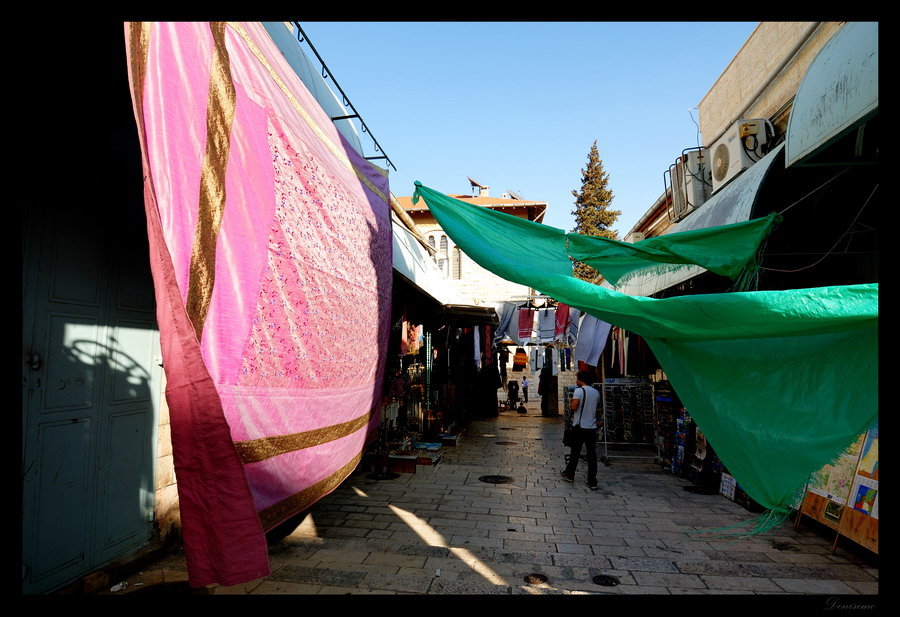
x=837, y=95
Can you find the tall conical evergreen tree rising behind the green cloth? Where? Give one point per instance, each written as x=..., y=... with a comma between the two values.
x=593, y=216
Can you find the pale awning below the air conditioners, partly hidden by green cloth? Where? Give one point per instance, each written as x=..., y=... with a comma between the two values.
x=733, y=204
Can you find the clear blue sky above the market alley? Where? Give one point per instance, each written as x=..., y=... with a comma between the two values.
x=517, y=105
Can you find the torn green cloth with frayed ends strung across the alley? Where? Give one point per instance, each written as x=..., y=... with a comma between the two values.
x=780, y=382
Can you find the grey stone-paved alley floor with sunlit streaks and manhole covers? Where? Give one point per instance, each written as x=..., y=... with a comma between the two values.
x=445, y=530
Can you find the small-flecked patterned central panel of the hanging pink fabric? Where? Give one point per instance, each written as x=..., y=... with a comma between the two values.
x=317, y=293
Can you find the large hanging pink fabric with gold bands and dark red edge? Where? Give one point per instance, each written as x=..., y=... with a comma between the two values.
x=270, y=246
